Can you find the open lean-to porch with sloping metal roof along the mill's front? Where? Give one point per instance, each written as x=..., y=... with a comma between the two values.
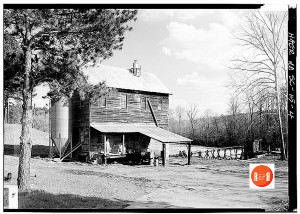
x=124, y=140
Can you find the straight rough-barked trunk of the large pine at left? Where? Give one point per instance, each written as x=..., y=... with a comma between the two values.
x=26, y=121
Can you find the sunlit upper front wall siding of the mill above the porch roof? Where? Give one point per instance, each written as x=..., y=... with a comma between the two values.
x=135, y=111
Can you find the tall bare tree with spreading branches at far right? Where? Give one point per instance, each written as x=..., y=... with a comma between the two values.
x=262, y=67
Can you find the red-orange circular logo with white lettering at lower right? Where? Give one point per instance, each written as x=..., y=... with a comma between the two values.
x=262, y=176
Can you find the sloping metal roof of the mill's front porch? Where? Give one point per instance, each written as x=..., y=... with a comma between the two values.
x=154, y=132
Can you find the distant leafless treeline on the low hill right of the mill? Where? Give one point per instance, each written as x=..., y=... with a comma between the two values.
x=238, y=129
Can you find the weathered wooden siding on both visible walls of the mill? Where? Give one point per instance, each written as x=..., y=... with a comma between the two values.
x=85, y=113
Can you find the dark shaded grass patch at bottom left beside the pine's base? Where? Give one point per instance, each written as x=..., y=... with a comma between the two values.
x=38, y=199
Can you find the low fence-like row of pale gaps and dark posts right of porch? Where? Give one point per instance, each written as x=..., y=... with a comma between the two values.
x=233, y=153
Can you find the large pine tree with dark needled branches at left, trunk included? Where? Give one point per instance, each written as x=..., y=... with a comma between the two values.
x=55, y=44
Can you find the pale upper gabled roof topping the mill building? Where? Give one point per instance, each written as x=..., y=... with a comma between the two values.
x=121, y=78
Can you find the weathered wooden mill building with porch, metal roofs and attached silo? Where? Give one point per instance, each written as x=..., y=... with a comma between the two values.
x=132, y=119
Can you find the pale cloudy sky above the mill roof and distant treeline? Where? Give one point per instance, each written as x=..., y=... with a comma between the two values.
x=188, y=50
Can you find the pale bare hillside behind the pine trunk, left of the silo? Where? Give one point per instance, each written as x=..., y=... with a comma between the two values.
x=12, y=133
